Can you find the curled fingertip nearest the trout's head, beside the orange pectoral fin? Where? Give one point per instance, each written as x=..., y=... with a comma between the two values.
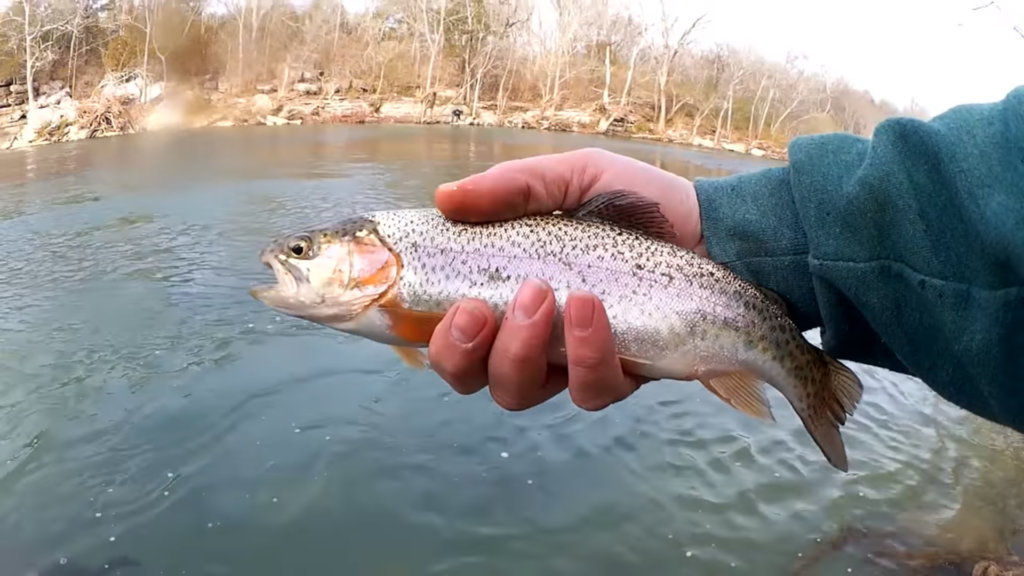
x=461, y=344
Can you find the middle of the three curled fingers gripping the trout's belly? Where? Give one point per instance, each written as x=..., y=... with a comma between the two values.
x=518, y=367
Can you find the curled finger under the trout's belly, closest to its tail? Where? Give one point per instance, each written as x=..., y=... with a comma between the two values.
x=595, y=375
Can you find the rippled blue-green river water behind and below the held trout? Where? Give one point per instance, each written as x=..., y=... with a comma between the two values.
x=151, y=408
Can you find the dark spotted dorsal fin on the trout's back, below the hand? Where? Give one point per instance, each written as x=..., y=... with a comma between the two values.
x=629, y=211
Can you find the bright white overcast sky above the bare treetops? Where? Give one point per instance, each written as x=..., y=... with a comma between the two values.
x=938, y=53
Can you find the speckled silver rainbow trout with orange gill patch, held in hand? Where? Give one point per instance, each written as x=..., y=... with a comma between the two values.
x=391, y=276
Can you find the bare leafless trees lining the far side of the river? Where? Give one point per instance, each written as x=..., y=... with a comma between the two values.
x=549, y=55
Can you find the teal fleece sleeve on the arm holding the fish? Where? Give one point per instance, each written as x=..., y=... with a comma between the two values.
x=906, y=250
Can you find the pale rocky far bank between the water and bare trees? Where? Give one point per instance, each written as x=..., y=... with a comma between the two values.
x=130, y=106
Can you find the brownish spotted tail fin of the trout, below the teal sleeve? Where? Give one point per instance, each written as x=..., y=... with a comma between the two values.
x=828, y=395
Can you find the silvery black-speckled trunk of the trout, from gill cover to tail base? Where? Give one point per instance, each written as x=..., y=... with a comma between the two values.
x=660, y=298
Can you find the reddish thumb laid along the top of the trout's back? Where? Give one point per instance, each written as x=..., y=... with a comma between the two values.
x=517, y=188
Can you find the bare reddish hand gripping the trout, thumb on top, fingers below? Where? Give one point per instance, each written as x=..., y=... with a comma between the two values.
x=470, y=351
